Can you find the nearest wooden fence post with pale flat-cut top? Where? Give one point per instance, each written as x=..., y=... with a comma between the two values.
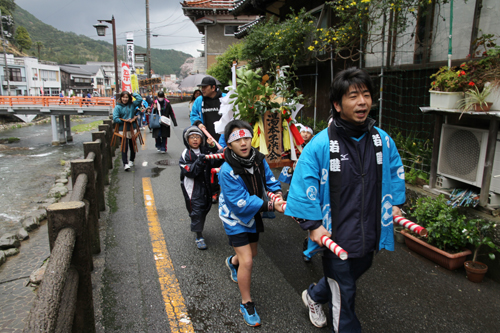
x=72, y=214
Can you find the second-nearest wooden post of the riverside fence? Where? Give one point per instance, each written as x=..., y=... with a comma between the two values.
x=87, y=167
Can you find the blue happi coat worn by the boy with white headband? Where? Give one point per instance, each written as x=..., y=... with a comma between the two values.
x=237, y=207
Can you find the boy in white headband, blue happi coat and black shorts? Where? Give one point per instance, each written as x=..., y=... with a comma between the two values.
x=244, y=179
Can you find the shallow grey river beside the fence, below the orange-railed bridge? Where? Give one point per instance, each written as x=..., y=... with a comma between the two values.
x=29, y=168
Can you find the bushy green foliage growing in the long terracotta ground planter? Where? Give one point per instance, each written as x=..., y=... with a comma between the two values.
x=444, y=223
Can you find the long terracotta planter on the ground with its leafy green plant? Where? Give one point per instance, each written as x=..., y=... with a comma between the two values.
x=446, y=242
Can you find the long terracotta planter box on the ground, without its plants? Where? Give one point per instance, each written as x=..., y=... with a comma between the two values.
x=440, y=257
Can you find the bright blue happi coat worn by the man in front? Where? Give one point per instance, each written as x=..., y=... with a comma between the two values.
x=309, y=196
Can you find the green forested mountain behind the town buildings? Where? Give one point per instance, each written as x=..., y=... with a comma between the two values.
x=70, y=48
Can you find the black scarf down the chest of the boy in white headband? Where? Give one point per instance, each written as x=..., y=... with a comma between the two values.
x=256, y=182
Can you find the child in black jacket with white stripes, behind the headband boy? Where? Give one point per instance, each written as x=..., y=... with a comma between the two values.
x=195, y=179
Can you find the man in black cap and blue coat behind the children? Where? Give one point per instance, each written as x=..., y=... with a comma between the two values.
x=205, y=110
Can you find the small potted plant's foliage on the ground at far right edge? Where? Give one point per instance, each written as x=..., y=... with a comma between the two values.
x=477, y=231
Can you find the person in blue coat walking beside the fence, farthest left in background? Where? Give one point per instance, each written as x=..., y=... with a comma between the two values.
x=124, y=112
